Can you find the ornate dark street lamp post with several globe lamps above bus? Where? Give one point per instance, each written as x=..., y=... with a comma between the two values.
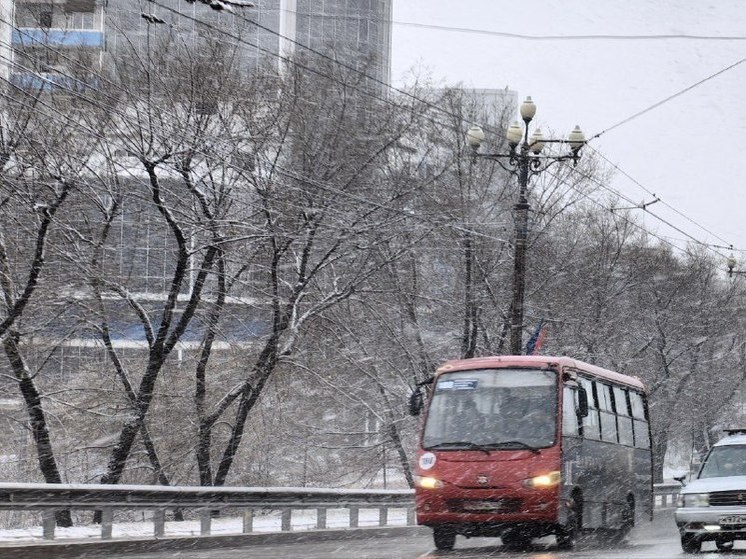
x=524, y=160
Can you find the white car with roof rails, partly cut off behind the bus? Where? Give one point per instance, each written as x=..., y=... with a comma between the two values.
x=712, y=507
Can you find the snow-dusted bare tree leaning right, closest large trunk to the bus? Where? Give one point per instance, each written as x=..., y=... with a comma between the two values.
x=324, y=211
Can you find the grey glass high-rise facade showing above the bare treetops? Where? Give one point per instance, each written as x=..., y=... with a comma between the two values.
x=354, y=32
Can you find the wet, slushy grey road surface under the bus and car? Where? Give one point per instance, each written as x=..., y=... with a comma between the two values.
x=656, y=540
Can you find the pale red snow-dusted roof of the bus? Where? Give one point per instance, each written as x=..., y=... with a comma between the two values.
x=540, y=361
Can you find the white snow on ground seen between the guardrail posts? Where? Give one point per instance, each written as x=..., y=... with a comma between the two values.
x=269, y=522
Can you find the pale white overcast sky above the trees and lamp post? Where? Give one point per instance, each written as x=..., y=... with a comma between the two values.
x=690, y=151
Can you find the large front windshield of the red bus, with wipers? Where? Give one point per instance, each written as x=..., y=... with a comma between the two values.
x=492, y=409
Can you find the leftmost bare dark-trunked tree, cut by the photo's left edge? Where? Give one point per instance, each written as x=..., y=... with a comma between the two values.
x=43, y=158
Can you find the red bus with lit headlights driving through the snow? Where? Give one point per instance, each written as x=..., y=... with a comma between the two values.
x=527, y=446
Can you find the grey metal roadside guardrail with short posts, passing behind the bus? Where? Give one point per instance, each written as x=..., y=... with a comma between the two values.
x=52, y=497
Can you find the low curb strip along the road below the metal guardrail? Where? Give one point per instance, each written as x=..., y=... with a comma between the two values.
x=76, y=548
